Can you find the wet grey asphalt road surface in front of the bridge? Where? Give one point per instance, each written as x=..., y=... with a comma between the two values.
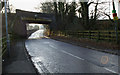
x=51, y=56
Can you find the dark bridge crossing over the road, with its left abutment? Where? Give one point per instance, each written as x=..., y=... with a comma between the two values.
x=25, y=17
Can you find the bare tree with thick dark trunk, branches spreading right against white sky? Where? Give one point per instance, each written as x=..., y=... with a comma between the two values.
x=90, y=19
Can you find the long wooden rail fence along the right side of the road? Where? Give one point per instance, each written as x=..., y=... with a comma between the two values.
x=95, y=35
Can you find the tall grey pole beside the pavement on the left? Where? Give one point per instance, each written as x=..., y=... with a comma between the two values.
x=7, y=35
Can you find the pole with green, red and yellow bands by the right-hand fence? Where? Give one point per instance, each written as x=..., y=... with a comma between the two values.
x=115, y=18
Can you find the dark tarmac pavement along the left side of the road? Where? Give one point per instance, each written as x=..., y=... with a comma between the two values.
x=18, y=62
